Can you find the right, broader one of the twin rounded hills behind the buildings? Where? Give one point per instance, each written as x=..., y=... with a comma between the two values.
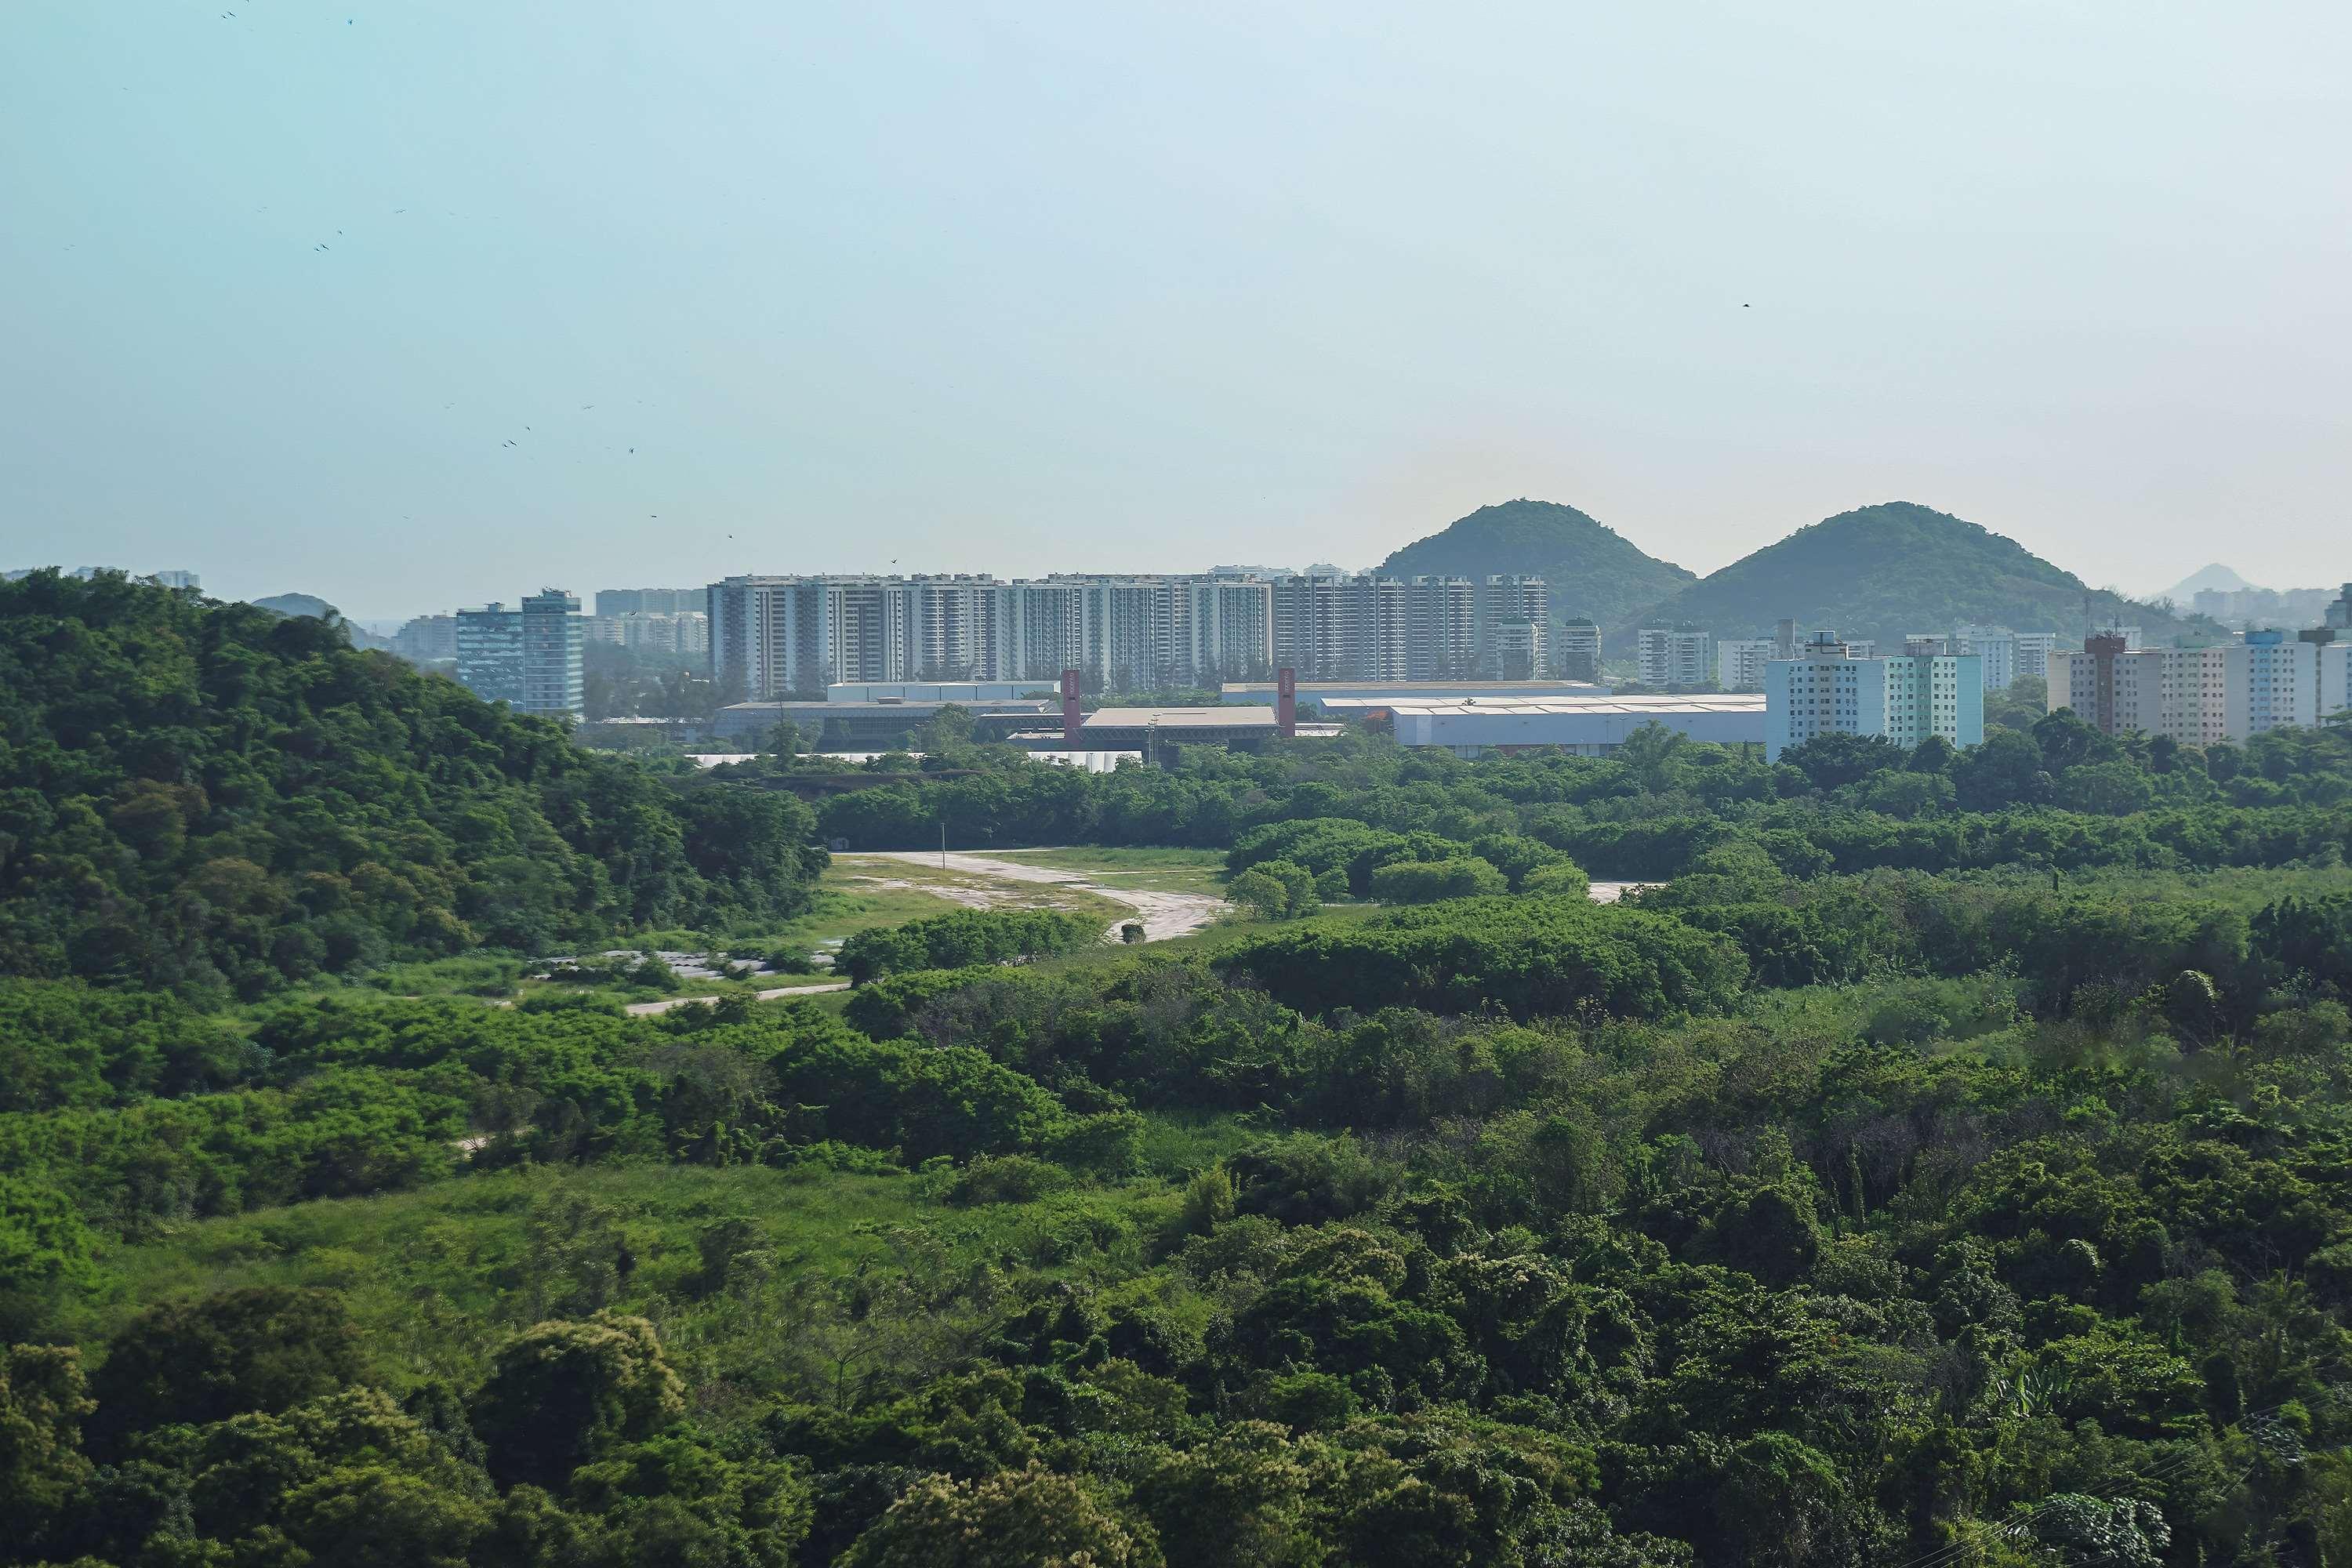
x=1890, y=570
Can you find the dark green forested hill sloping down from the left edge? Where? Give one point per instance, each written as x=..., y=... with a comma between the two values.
x=215, y=798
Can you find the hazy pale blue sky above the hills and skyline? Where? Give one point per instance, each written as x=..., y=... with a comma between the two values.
x=1022, y=288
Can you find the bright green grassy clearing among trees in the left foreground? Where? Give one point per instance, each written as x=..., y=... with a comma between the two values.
x=436, y=1278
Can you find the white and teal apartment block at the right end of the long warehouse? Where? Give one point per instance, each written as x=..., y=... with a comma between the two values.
x=1906, y=699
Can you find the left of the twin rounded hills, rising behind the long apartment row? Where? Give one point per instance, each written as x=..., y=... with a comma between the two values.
x=1593, y=570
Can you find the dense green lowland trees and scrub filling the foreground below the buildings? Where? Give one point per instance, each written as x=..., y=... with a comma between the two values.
x=1944, y=1165
